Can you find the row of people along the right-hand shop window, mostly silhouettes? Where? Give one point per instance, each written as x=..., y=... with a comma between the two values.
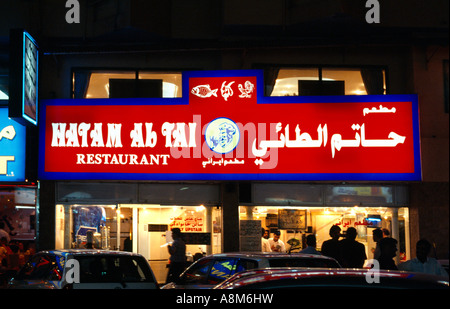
x=352, y=254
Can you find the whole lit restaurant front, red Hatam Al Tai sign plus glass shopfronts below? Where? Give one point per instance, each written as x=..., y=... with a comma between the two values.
x=128, y=170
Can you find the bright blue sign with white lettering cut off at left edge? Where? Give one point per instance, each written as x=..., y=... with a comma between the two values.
x=12, y=149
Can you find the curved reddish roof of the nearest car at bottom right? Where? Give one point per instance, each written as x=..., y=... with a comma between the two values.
x=264, y=275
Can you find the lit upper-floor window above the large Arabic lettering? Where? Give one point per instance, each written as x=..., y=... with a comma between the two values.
x=325, y=81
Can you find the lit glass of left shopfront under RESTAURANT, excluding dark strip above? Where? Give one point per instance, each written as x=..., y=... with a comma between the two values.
x=140, y=228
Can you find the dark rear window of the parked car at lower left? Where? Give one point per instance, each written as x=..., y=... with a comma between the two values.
x=103, y=269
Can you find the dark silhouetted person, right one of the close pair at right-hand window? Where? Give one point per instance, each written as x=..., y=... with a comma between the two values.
x=352, y=252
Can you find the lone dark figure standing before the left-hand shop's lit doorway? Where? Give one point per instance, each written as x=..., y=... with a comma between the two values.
x=177, y=260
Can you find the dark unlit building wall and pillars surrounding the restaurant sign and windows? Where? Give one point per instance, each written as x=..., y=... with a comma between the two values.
x=212, y=35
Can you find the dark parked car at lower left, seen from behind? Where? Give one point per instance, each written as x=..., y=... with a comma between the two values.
x=85, y=269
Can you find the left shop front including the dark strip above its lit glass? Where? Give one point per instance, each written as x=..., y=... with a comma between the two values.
x=82, y=219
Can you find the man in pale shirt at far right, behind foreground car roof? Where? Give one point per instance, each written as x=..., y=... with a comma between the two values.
x=422, y=263
